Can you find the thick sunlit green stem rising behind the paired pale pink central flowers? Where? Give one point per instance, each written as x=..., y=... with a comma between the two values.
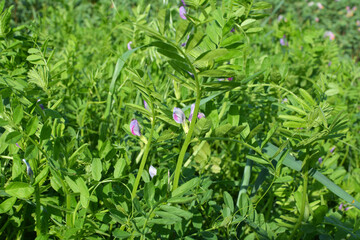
x=187, y=141
